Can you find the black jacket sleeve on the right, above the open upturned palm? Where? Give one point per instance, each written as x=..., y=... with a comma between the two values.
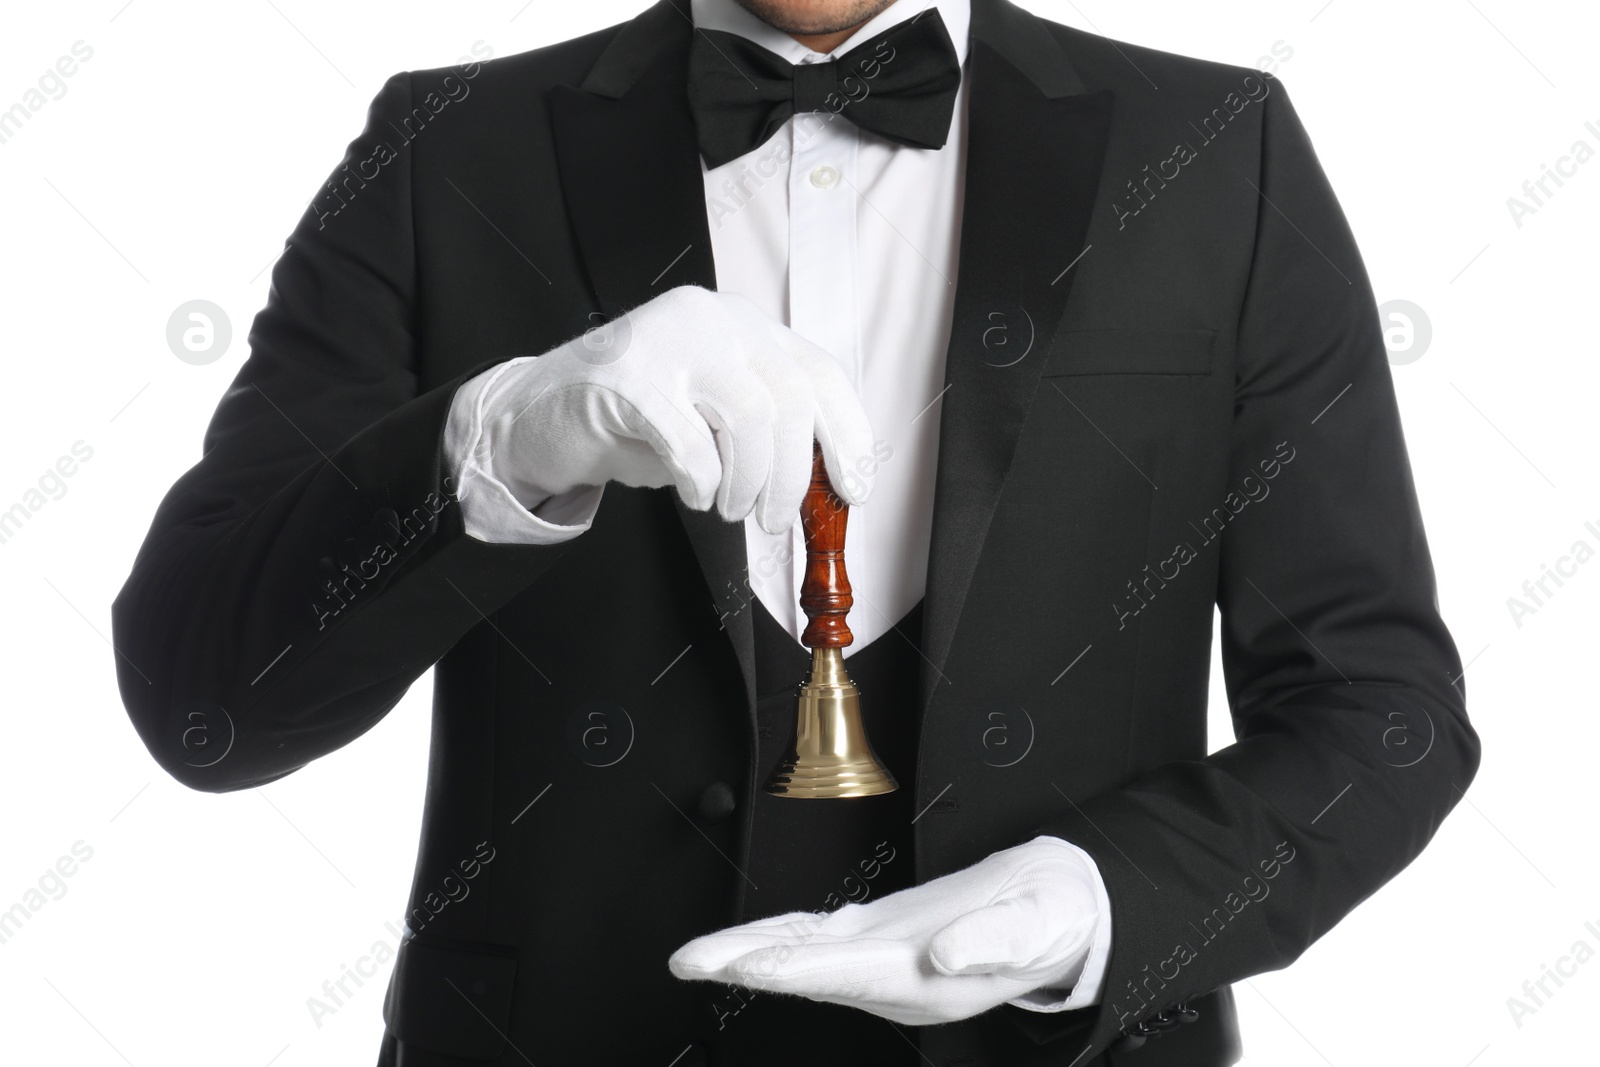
x=1345, y=687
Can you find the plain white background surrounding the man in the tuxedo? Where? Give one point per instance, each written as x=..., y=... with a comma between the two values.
x=186, y=148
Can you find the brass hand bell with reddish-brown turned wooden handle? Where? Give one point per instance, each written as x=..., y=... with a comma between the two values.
x=831, y=754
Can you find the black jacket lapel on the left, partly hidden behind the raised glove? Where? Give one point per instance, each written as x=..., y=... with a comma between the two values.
x=631, y=177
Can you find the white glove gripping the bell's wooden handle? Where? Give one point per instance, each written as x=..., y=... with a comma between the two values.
x=695, y=390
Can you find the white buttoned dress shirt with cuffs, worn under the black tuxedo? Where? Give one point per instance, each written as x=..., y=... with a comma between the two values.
x=850, y=241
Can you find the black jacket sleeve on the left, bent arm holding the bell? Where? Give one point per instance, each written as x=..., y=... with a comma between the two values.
x=313, y=564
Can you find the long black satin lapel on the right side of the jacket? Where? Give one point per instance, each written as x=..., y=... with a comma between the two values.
x=1034, y=154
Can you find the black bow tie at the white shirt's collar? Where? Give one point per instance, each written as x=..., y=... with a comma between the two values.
x=900, y=86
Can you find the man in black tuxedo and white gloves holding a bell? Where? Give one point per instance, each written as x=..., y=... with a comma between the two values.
x=1086, y=340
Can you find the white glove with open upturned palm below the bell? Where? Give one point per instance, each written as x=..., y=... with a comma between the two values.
x=1007, y=930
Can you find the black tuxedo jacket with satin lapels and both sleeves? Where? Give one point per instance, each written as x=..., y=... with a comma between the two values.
x=1167, y=391
